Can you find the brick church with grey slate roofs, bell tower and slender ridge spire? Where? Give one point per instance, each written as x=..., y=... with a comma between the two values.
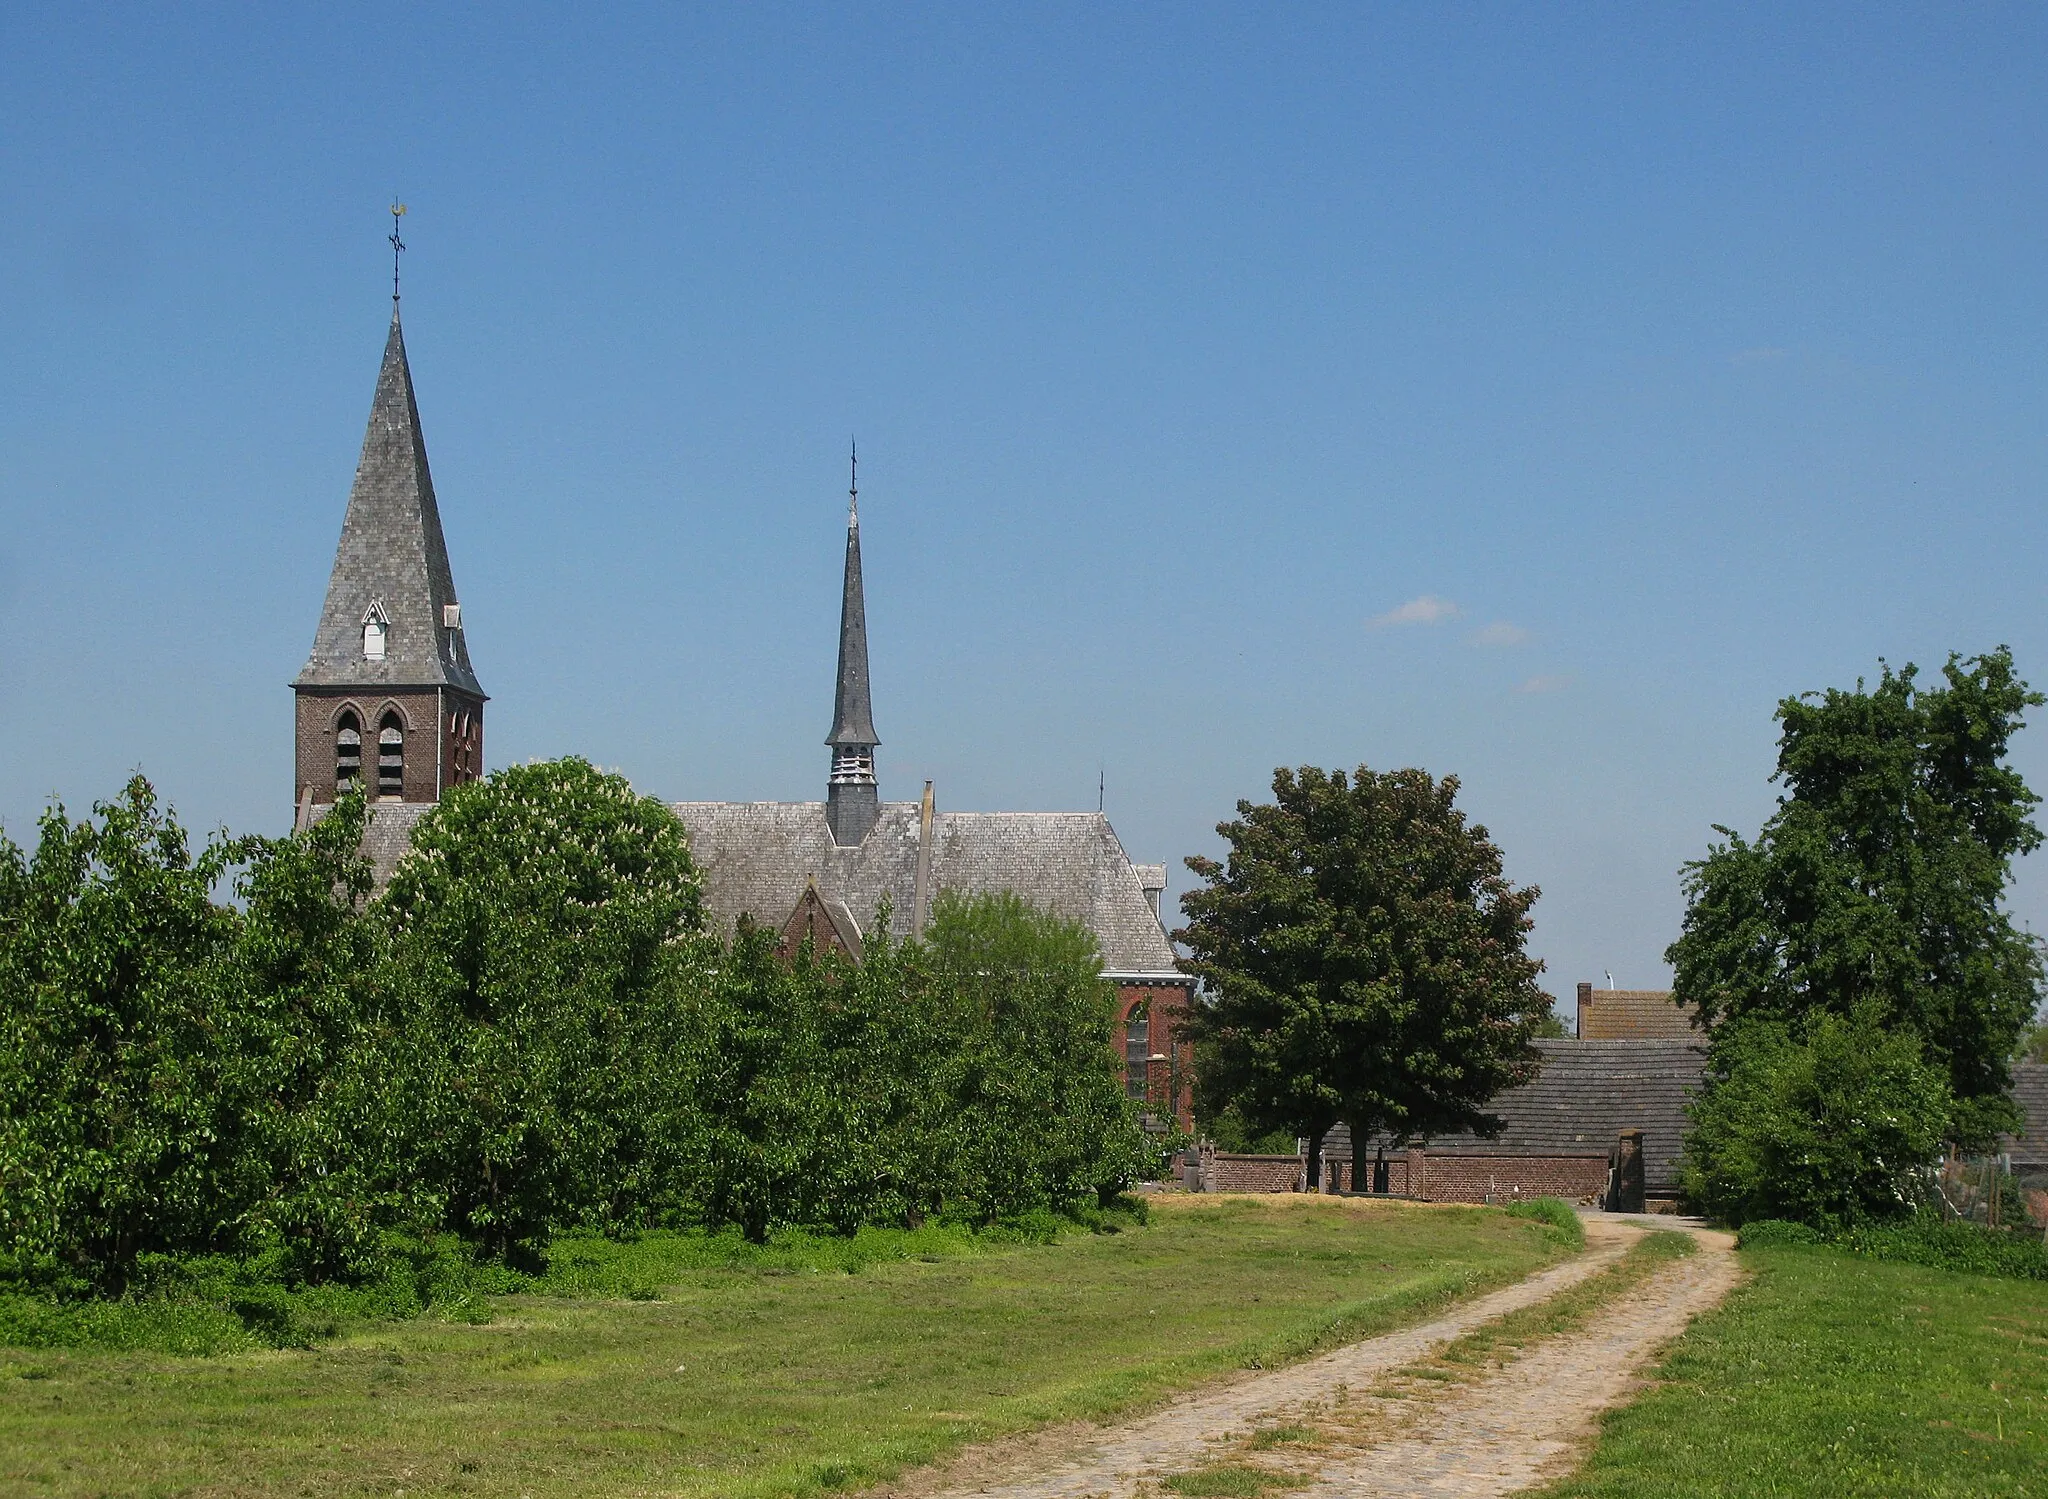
x=390, y=701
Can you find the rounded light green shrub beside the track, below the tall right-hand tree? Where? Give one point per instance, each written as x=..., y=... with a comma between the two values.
x=1830, y=1127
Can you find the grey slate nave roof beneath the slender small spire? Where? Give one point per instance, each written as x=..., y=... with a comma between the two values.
x=757, y=857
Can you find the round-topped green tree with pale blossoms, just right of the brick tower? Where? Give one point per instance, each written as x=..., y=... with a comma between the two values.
x=544, y=1058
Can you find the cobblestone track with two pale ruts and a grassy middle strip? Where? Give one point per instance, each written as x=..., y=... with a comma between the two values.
x=1496, y=1437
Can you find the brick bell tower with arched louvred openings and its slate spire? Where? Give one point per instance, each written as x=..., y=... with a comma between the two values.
x=388, y=697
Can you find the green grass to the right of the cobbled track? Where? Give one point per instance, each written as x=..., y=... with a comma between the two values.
x=1830, y=1375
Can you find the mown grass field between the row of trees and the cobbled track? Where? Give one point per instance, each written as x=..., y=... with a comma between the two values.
x=753, y=1379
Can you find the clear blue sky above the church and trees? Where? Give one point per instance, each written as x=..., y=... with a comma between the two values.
x=1533, y=394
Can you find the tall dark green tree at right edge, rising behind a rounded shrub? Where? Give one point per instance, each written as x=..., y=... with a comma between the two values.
x=1877, y=886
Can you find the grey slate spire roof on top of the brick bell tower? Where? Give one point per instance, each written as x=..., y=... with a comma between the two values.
x=392, y=619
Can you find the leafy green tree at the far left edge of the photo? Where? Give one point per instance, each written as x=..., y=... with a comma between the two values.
x=118, y=1127
